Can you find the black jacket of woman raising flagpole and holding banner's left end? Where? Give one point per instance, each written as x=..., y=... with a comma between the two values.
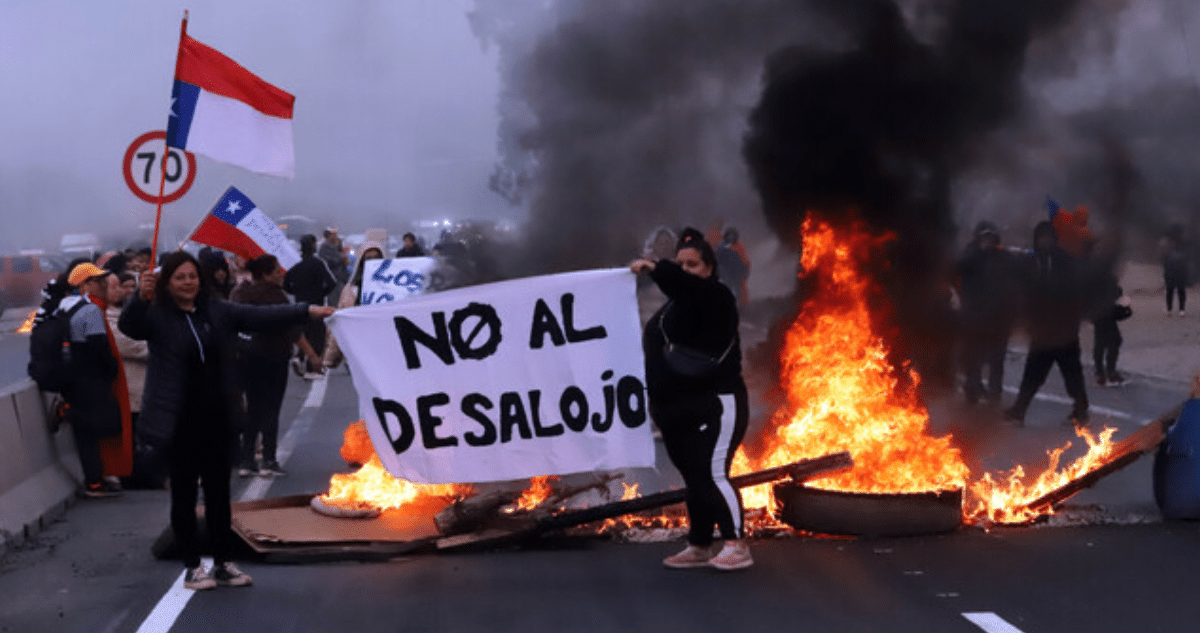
x=188, y=394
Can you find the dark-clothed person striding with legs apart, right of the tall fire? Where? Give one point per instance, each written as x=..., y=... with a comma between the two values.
x=1054, y=308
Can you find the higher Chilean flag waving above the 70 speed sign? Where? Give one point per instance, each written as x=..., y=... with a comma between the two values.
x=227, y=113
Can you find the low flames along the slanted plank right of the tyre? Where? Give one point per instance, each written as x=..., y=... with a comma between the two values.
x=1009, y=499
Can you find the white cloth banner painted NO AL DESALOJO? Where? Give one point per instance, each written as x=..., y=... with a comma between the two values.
x=502, y=382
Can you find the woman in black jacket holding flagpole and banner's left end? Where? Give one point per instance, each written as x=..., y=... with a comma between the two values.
x=188, y=403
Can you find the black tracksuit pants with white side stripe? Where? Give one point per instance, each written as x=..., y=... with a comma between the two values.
x=701, y=435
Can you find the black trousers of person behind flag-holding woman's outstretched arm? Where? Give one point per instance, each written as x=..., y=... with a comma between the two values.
x=267, y=381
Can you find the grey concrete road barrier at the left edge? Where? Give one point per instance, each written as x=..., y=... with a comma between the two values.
x=39, y=472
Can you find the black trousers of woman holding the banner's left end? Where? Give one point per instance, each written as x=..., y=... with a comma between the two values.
x=202, y=462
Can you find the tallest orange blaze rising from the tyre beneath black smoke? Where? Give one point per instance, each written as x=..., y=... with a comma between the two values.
x=843, y=394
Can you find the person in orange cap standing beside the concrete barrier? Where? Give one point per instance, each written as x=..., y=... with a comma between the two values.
x=95, y=413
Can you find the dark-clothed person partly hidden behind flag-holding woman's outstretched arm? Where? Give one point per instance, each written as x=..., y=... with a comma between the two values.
x=265, y=364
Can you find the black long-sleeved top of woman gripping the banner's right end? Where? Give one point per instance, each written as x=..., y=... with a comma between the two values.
x=701, y=315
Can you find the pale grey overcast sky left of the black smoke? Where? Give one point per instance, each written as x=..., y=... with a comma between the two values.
x=395, y=112
